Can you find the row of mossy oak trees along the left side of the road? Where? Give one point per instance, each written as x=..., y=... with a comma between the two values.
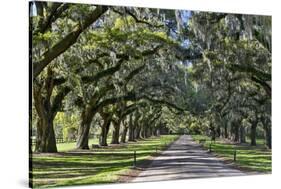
x=102, y=62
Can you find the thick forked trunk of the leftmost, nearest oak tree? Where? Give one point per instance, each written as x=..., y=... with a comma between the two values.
x=46, y=108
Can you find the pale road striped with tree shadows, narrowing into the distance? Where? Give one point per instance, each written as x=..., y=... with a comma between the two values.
x=185, y=159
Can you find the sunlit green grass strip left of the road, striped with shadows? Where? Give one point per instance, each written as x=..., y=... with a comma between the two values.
x=103, y=165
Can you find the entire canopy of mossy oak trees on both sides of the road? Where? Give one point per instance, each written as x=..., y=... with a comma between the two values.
x=139, y=71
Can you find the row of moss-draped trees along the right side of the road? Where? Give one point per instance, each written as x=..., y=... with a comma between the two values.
x=234, y=74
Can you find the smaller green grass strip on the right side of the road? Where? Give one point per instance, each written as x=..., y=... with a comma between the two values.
x=256, y=158
